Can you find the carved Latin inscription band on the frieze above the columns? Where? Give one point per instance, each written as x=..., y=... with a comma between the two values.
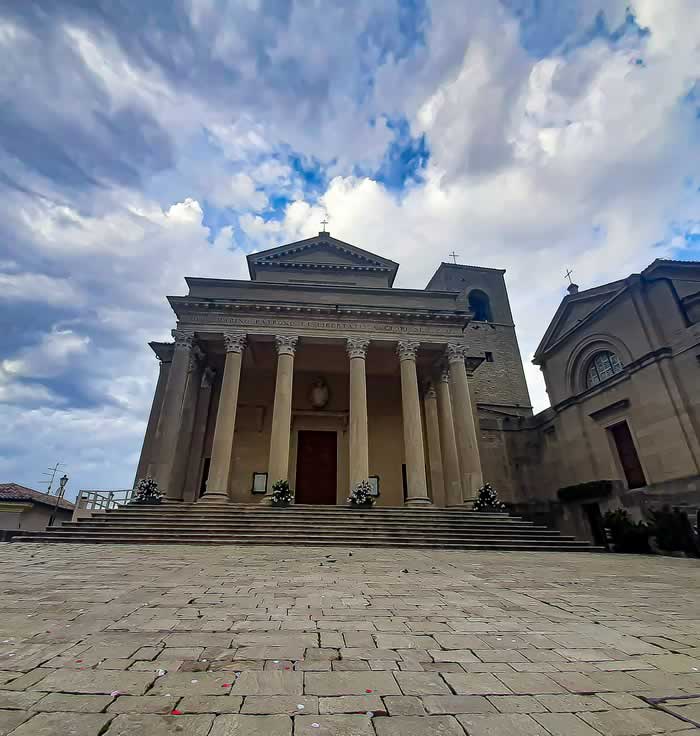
x=271, y=324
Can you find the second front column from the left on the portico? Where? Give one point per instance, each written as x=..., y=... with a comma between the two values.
x=222, y=445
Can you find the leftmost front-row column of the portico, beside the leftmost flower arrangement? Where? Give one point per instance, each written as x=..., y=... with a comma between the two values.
x=171, y=412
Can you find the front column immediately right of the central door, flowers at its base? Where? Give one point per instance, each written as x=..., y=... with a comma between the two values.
x=359, y=447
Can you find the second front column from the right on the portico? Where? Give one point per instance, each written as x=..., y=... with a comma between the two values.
x=417, y=491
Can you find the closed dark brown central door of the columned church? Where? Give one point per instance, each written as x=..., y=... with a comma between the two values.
x=317, y=465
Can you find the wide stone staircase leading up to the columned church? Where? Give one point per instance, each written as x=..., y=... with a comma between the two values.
x=228, y=523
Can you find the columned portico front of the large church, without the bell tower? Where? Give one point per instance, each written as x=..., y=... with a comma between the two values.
x=321, y=384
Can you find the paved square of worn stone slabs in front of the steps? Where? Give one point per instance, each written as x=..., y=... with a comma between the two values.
x=275, y=641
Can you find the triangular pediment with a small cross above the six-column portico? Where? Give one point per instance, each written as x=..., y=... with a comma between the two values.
x=321, y=253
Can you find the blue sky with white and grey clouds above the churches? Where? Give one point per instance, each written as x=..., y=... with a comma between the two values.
x=144, y=141
